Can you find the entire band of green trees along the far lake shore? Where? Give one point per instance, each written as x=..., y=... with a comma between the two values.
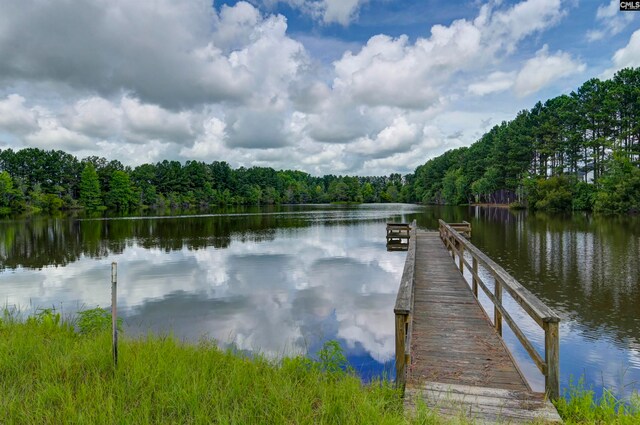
x=578, y=151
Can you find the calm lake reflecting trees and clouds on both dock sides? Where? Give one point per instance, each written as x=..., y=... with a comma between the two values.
x=283, y=280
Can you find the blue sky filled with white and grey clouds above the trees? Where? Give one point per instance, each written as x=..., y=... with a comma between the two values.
x=364, y=87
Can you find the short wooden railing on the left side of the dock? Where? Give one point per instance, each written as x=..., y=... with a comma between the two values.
x=403, y=311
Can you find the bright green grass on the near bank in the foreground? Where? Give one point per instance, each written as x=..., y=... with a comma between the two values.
x=56, y=370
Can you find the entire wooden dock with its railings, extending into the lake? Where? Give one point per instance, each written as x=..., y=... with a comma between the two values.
x=449, y=354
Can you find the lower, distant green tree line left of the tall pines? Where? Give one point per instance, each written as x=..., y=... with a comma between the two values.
x=36, y=180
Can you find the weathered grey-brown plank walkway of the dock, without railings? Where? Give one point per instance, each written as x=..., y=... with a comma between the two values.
x=459, y=364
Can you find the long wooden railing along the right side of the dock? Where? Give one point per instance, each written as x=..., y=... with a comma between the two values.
x=546, y=318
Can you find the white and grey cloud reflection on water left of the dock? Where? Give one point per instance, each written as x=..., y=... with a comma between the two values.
x=277, y=296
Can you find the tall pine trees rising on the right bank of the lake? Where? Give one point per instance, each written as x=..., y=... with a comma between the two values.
x=578, y=151
